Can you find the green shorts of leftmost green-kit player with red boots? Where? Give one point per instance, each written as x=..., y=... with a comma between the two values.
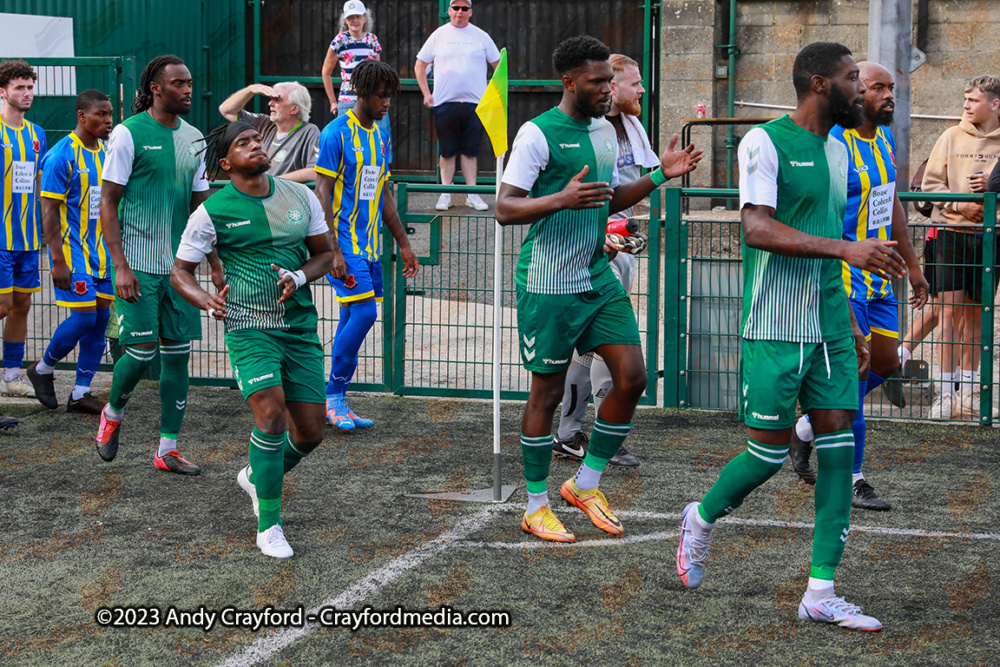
x=160, y=312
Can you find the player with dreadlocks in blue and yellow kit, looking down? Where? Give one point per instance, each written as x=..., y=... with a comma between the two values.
x=351, y=178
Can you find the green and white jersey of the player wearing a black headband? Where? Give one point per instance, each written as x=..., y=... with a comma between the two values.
x=251, y=233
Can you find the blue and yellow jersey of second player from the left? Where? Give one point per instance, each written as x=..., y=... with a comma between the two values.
x=72, y=175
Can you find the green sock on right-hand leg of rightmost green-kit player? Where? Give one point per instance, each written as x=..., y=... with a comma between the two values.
x=835, y=458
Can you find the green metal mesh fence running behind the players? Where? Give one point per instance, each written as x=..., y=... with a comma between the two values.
x=434, y=333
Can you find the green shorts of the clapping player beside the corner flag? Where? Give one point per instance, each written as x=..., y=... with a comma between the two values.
x=549, y=326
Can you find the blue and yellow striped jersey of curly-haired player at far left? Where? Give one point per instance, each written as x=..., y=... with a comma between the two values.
x=22, y=153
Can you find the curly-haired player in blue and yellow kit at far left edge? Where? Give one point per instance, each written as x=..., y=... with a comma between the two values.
x=24, y=149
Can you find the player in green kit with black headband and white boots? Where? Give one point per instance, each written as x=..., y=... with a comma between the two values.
x=273, y=239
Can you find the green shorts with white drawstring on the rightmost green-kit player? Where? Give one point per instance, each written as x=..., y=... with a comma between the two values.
x=776, y=374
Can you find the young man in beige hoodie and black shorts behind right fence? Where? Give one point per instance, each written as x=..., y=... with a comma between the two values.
x=961, y=161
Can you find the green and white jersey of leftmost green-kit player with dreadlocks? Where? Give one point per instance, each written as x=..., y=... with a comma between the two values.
x=159, y=167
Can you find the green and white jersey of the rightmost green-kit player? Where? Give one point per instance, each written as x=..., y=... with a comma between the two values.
x=803, y=177
